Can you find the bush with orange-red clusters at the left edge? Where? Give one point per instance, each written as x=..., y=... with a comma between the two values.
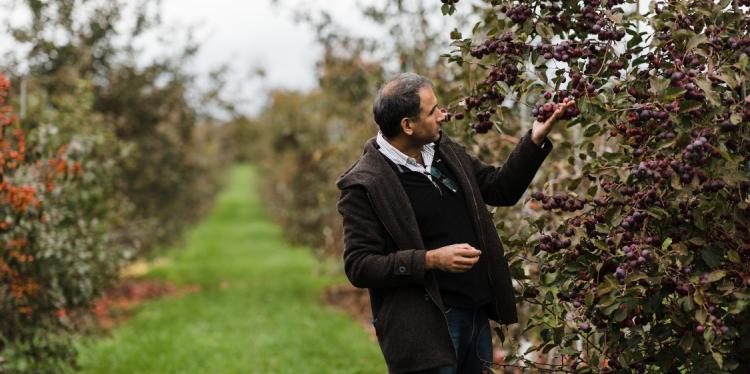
x=57, y=251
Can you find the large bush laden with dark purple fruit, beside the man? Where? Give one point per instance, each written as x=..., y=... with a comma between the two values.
x=640, y=262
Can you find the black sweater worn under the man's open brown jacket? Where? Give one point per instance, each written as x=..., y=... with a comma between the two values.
x=443, y=219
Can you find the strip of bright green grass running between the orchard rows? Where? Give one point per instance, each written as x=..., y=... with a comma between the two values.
x=269, y=318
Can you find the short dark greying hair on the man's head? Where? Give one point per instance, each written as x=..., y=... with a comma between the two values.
x=396, y=100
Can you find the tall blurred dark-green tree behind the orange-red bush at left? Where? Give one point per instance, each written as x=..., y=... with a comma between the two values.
x=169, y=160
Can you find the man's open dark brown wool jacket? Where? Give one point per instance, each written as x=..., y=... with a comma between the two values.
x=383, y=249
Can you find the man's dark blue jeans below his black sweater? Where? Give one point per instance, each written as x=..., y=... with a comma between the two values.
x=470, y=331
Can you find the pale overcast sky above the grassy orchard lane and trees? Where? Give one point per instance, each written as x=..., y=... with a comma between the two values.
x=248, y=35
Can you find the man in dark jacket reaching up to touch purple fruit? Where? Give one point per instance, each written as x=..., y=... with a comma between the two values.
x=418, y=235
